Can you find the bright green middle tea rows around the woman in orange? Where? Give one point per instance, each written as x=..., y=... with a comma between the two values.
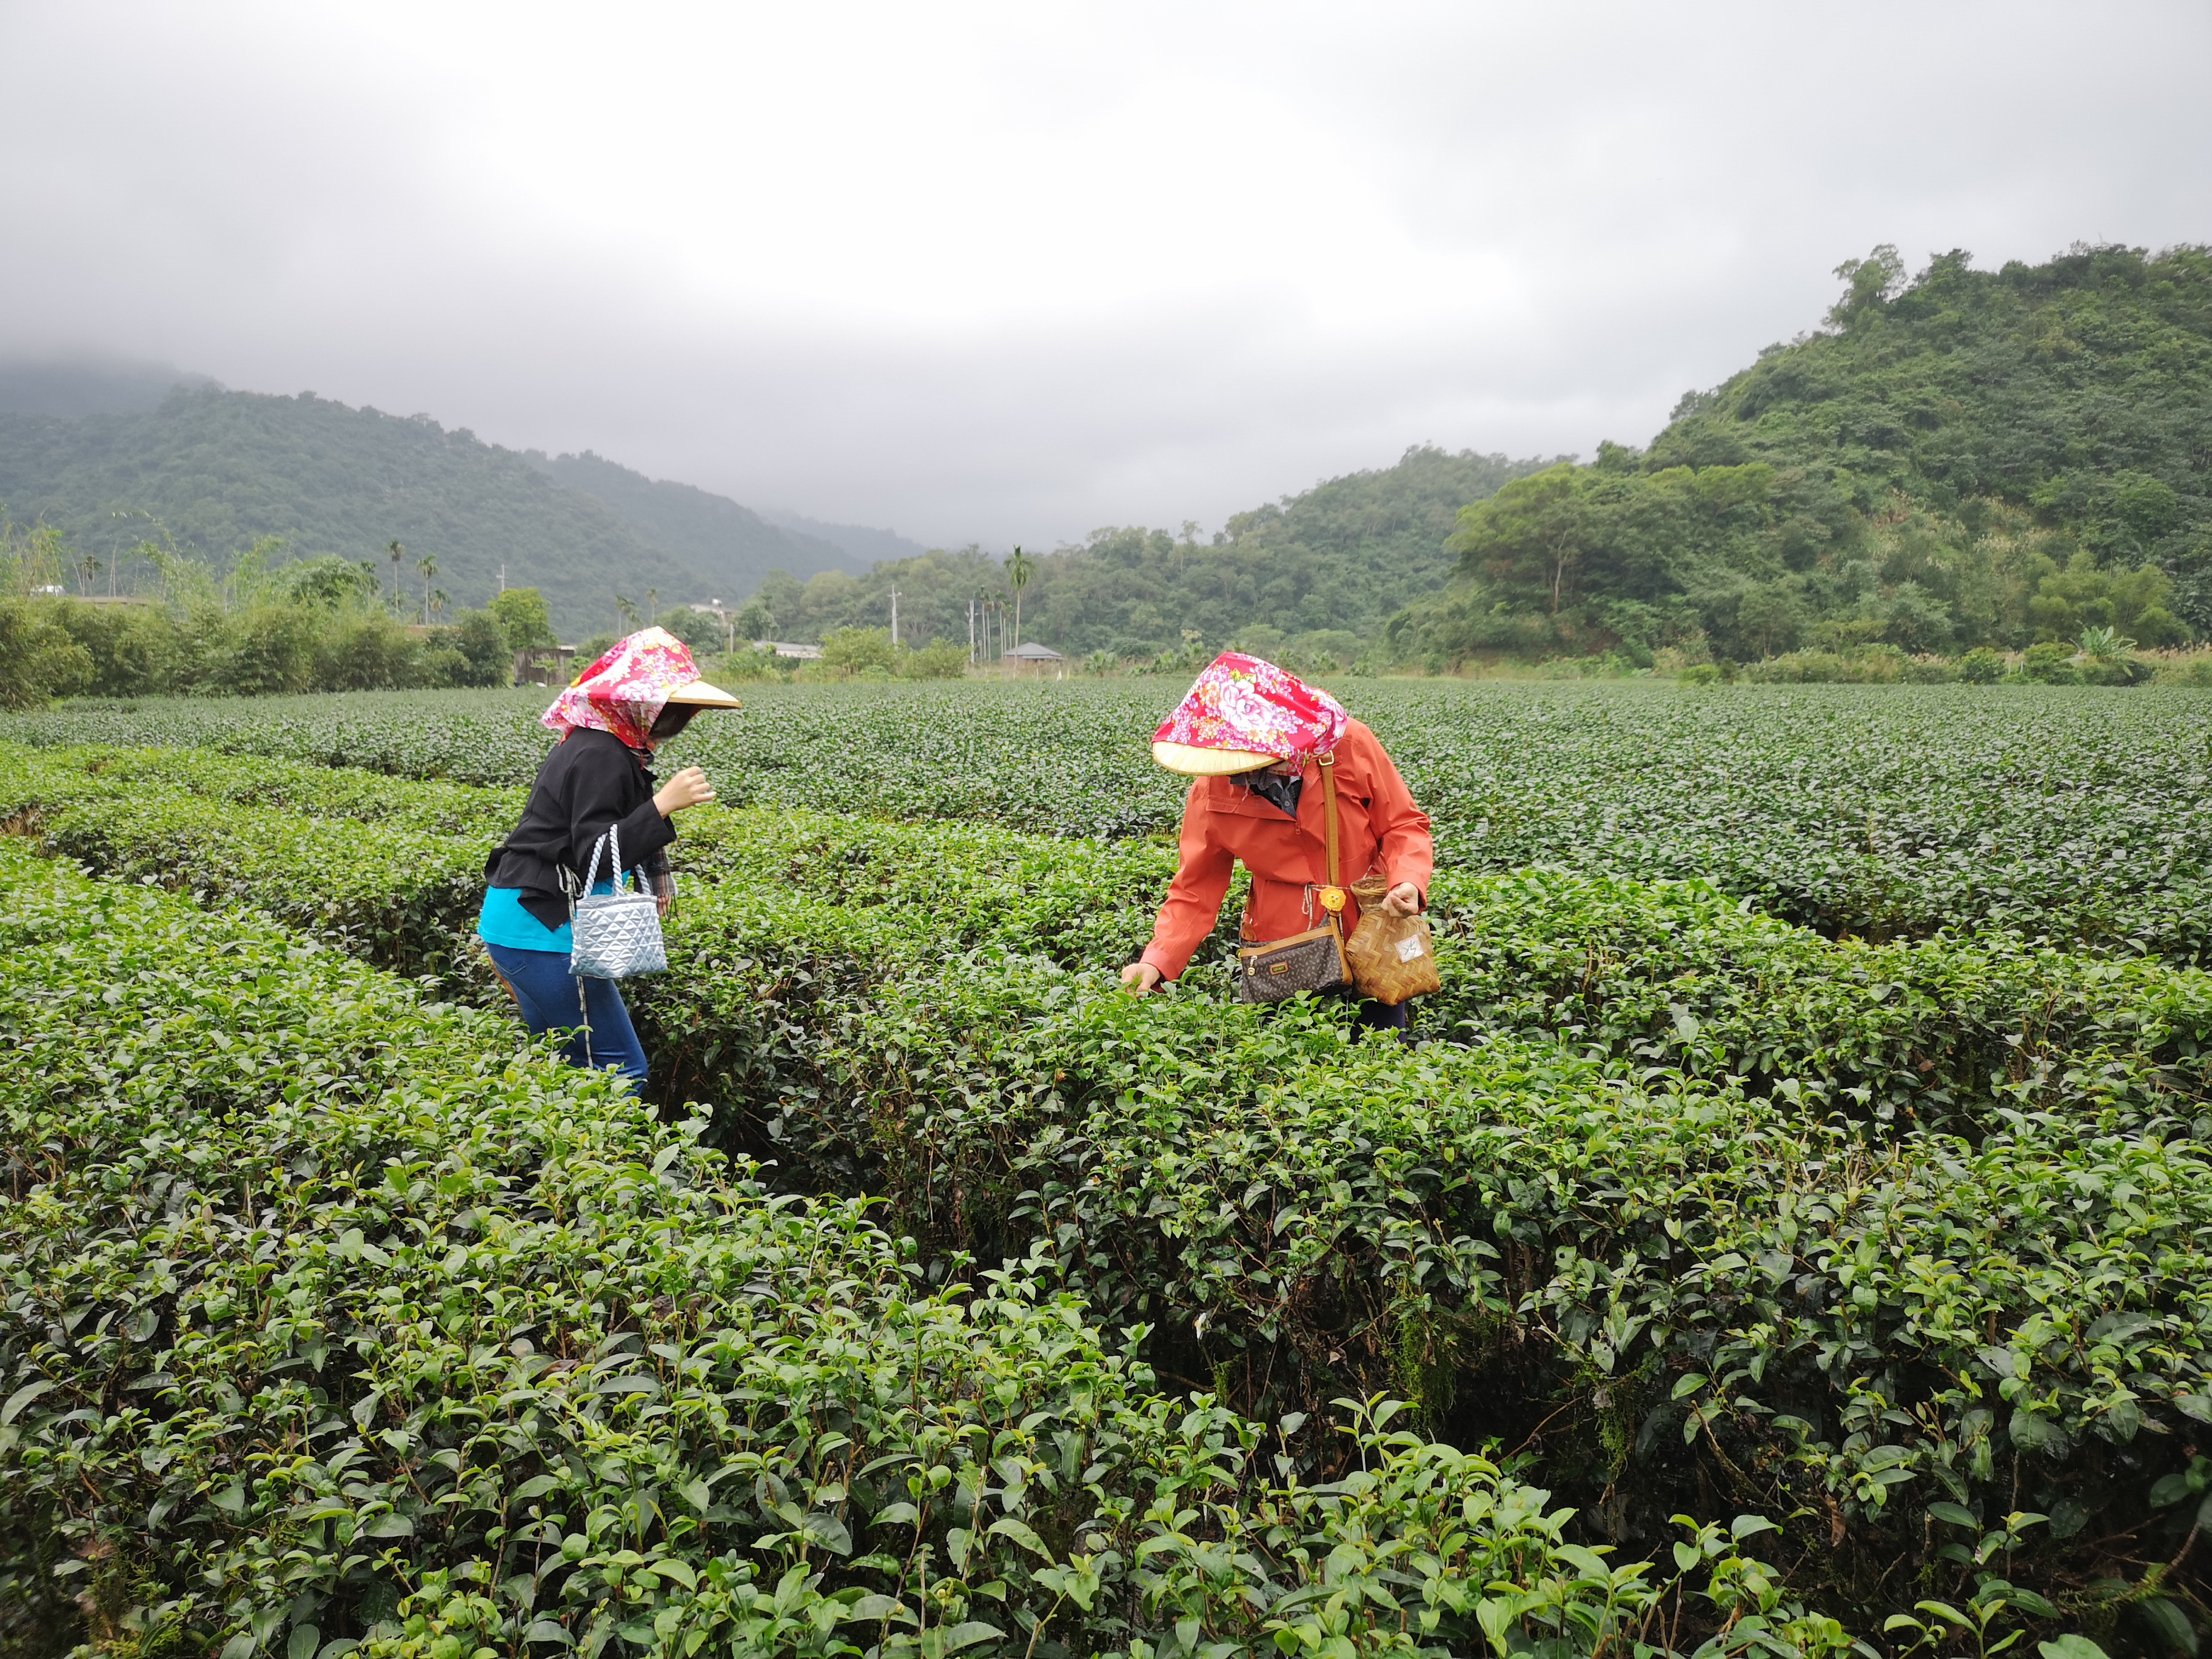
x=1687, y=1288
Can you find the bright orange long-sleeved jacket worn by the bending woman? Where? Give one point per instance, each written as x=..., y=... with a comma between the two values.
x=1224, y=822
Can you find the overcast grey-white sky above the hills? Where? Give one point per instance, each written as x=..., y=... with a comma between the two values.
x=1021, y=271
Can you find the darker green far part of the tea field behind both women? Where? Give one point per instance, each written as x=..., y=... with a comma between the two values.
x=1857, y=811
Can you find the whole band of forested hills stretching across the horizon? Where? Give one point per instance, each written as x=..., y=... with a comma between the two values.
x=1959, y=459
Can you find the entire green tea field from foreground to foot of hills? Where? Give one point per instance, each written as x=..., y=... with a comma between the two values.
x=1791, y=1231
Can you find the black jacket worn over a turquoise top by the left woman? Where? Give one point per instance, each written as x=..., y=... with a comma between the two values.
x=589, y=782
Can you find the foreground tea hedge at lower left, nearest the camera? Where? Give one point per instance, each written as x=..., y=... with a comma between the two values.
x=333, y=1324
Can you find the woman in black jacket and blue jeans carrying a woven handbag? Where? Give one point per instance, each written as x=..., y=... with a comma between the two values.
x=596, y=782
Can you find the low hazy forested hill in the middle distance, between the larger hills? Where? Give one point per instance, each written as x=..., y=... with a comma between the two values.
x=1317, y=572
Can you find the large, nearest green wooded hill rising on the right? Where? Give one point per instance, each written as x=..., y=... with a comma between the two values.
x=1959, y=459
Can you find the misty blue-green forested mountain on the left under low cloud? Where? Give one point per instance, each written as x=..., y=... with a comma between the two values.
x=220, y=470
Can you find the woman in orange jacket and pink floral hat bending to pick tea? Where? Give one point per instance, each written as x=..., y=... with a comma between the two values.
x=1251, y=738
